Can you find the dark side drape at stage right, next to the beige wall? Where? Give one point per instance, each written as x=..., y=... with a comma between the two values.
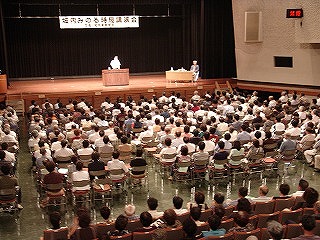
x=217, y=39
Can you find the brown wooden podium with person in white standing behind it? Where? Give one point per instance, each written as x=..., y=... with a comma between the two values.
x=115, y=77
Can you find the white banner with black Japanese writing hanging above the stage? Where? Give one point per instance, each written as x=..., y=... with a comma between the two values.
x=77, y=22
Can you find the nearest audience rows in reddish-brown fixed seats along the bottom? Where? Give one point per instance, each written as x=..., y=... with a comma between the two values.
x=200, y=220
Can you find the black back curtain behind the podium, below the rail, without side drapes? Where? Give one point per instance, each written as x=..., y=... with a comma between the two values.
x=40, y=48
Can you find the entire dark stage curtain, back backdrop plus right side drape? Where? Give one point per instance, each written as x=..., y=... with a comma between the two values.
x=196, y=29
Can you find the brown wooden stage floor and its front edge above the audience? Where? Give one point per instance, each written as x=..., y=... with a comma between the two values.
x=92, y=89
